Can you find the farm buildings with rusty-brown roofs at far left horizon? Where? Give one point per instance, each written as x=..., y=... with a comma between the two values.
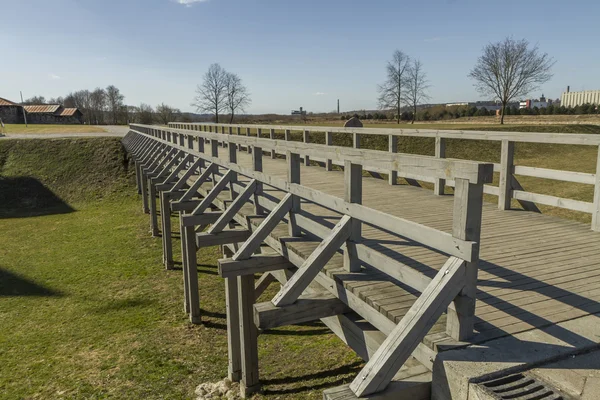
x=13, y=113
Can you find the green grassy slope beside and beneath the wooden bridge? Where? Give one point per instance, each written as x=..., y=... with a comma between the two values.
x=87, y=310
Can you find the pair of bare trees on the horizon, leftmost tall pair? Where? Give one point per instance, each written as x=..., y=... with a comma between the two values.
x=221, y=92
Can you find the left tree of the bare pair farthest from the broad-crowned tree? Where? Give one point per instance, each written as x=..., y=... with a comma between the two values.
x=211, y=96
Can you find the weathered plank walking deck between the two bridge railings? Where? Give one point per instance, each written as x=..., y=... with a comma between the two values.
x=535, y=270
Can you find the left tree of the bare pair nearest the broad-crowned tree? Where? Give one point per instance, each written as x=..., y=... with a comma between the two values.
x=391, y=91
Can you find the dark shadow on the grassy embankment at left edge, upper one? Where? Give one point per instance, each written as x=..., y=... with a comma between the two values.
x=24, y=196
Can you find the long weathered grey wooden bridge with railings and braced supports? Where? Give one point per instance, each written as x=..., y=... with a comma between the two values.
x=398, y=272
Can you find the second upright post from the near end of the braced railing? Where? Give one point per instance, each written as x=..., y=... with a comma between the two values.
x=352, y=194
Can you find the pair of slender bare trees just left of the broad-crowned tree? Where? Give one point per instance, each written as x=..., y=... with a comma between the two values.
x=406, y=84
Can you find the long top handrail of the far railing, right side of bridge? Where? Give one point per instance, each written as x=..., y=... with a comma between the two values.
x=496, y=136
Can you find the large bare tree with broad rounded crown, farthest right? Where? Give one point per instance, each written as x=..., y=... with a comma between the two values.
x=511, y=69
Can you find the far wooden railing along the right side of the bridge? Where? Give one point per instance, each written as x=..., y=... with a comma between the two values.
x=508, y=188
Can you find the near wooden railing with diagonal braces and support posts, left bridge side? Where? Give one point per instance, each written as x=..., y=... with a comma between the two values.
x=174, y=164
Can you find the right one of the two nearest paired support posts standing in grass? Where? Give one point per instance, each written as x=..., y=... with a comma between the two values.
x=249, y=334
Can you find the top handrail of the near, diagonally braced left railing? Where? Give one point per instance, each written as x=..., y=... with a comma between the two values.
x=408, y=164
